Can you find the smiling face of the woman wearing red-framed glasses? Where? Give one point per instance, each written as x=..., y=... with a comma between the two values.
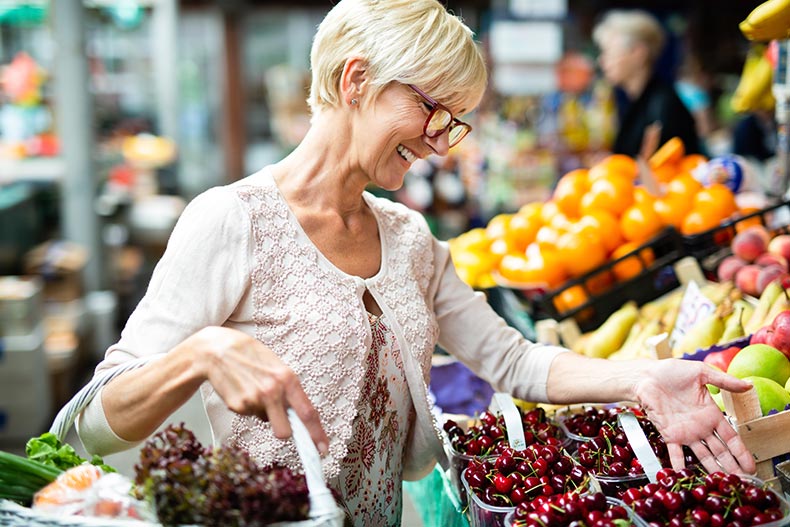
x=392, y=135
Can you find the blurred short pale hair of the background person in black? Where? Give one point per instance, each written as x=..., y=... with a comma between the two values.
x=636, y=26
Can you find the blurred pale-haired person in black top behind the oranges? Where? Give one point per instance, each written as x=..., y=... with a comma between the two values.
x=650, y=112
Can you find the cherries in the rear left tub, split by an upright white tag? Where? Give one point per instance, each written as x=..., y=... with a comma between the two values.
x=489, y=436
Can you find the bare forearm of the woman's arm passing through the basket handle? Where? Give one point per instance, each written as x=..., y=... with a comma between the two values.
x=137, y=402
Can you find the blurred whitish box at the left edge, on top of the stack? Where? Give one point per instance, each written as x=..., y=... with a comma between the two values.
x=20, y=305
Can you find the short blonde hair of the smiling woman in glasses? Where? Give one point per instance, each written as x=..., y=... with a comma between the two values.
x=409, y=41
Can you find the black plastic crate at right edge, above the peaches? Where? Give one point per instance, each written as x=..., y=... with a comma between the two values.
x=709, y=246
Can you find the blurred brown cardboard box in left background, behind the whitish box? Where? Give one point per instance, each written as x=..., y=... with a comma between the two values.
x=59, y=264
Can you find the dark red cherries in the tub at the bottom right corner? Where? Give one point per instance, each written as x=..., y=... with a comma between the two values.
x=692, y=497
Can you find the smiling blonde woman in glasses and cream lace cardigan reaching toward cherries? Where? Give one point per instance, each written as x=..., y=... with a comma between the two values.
x=294, y=287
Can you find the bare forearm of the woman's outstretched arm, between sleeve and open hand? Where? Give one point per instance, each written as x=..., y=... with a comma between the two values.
x=574, y=378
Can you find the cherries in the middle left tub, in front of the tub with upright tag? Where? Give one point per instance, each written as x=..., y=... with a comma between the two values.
x=518, y=476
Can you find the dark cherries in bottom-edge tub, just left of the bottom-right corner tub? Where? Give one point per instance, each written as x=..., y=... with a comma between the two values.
x=570, y=509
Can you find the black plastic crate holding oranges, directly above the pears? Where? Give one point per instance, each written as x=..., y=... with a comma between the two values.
x=654, y=280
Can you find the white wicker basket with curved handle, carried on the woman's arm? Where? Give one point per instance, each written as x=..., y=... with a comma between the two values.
x=324, y=512
